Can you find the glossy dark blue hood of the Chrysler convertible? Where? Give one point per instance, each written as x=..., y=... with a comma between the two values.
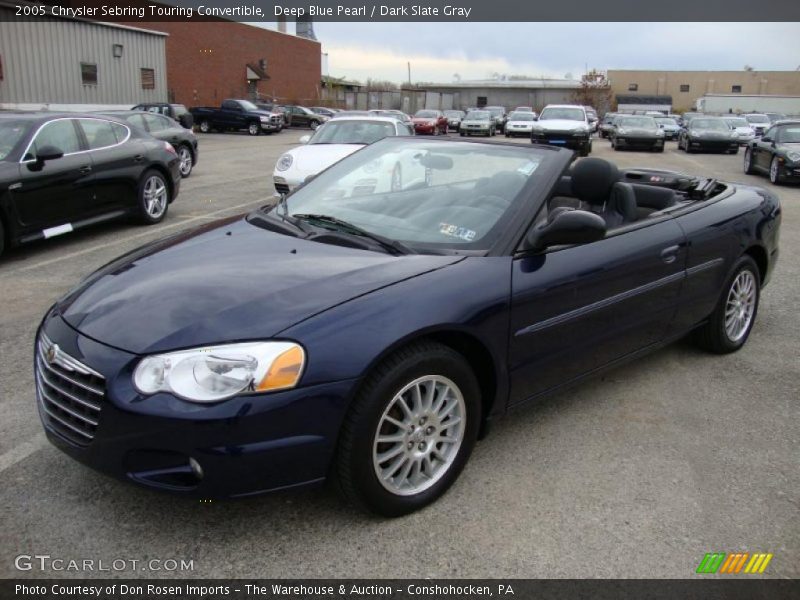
x=227, y=281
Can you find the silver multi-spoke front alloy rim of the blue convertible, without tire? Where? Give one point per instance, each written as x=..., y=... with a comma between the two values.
x=419, y=435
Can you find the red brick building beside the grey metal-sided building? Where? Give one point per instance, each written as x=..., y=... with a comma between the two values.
x=210, y=61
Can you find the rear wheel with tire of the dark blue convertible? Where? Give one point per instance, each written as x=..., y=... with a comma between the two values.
x=720, y=337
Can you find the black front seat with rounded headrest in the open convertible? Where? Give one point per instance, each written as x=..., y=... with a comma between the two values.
x=595, y=182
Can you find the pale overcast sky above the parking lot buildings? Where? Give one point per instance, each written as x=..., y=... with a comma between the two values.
x=437, y=51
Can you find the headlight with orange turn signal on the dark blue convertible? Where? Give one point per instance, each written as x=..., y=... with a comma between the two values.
x=218, y=372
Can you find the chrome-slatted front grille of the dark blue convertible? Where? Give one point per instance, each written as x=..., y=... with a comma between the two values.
x=70, y=393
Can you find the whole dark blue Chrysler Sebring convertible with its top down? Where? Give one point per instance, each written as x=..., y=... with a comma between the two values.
x=367, y=333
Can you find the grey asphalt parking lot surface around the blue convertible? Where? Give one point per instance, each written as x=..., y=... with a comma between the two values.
x=637, y=474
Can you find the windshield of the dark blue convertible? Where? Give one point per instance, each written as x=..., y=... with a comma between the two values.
x=441, y=196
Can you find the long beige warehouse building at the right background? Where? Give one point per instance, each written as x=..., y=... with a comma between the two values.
x=687, y=86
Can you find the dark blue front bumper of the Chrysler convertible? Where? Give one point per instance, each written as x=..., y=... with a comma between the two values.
x=242, y=446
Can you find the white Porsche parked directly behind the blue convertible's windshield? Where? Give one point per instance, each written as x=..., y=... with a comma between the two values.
x=330, y=143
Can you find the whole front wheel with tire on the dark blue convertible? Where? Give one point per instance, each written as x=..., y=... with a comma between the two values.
x=358, y=459
